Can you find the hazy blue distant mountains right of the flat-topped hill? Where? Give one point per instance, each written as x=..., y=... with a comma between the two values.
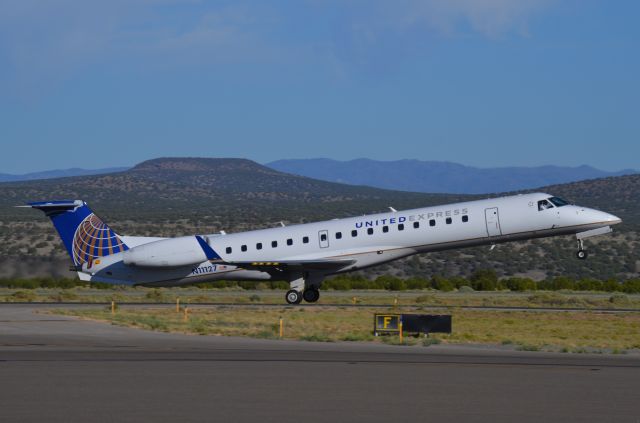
x=438, y=177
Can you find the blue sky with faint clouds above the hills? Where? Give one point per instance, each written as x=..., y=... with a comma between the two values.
x=480, y=82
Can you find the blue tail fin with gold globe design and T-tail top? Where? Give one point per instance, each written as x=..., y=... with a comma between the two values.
x=84, y=234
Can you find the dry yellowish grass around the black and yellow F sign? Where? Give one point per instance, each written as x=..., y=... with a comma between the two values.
x=549, y=331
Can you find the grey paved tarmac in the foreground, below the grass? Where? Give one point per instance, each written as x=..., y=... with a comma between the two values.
x=60, y=369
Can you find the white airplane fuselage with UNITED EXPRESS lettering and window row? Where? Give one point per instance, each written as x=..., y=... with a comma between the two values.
x=366, y=240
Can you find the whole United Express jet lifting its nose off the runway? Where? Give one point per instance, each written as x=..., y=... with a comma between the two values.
x=305, y=254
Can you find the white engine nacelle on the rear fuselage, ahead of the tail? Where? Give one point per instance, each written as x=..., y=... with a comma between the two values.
x=173, y=252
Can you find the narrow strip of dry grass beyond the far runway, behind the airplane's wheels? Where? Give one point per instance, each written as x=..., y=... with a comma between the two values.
x=561, y=299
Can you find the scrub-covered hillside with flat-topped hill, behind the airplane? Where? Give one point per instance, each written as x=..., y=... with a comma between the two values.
x=172, y=197
